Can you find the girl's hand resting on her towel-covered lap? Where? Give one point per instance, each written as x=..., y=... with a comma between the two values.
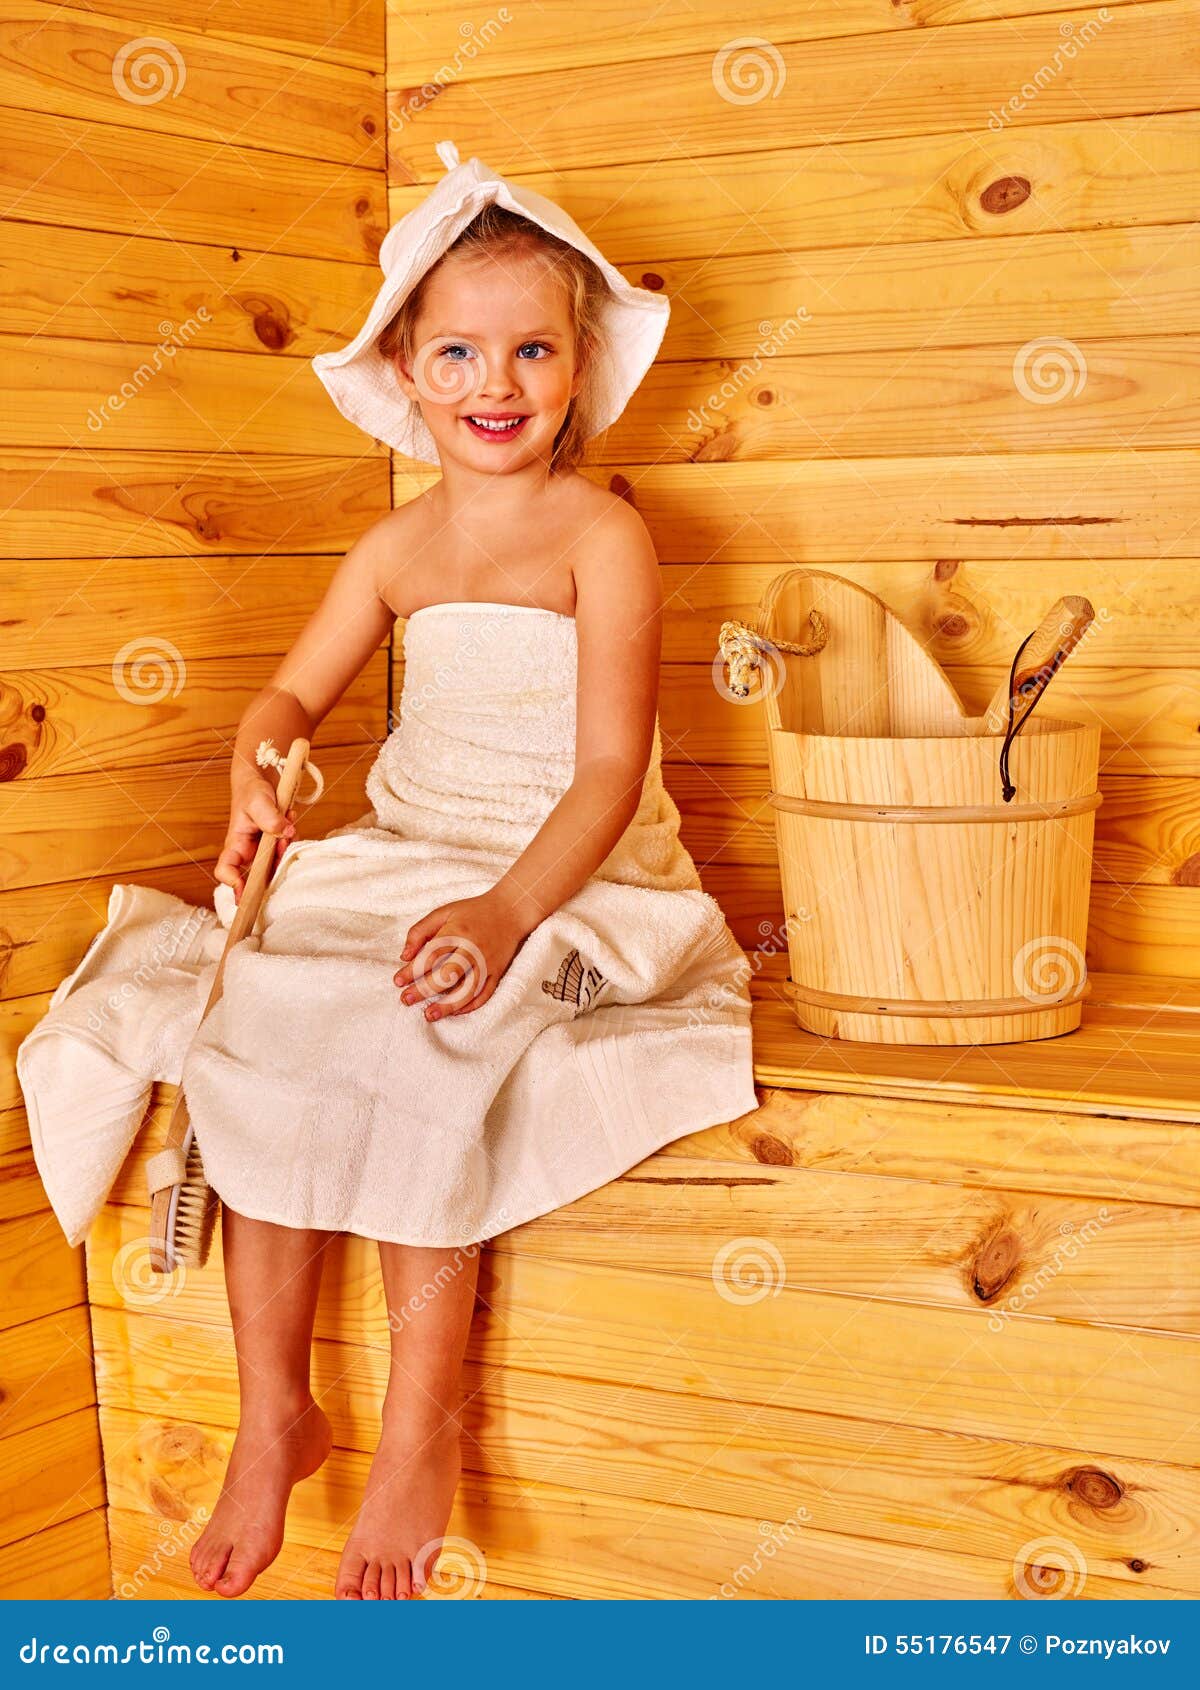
x=467, y=949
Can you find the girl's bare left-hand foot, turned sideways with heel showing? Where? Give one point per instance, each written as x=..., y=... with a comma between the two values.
x=246, y=1534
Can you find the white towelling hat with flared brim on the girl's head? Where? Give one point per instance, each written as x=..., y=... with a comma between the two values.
x=363, y=383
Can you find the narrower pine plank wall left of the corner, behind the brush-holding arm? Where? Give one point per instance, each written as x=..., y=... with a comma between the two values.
x=192, y=200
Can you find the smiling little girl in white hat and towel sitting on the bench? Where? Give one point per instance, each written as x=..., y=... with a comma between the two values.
x=523, y=782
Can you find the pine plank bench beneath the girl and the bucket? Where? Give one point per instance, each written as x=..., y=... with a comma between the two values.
x=922, y=1326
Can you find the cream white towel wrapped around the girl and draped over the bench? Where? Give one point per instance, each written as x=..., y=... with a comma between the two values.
x=317, y=1096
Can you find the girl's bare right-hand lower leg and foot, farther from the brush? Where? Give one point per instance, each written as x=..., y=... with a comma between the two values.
x=415, y=1473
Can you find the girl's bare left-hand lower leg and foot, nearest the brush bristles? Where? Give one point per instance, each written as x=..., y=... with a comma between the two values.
x=273, y=1277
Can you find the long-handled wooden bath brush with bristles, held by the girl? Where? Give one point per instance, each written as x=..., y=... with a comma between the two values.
x=183, y=1206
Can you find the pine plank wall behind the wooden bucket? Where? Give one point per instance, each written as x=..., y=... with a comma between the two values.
x=934, y=327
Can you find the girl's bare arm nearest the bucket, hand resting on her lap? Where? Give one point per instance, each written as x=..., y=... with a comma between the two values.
x=619, y=633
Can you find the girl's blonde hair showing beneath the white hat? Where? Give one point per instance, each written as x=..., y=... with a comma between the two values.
x=493, y=234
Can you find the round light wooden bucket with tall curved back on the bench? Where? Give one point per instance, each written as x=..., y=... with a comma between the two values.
x=922, y=908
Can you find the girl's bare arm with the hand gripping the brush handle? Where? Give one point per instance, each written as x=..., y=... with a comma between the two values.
x=342, y=635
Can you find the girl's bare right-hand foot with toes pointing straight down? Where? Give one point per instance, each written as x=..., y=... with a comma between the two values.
x=403, y=1518
